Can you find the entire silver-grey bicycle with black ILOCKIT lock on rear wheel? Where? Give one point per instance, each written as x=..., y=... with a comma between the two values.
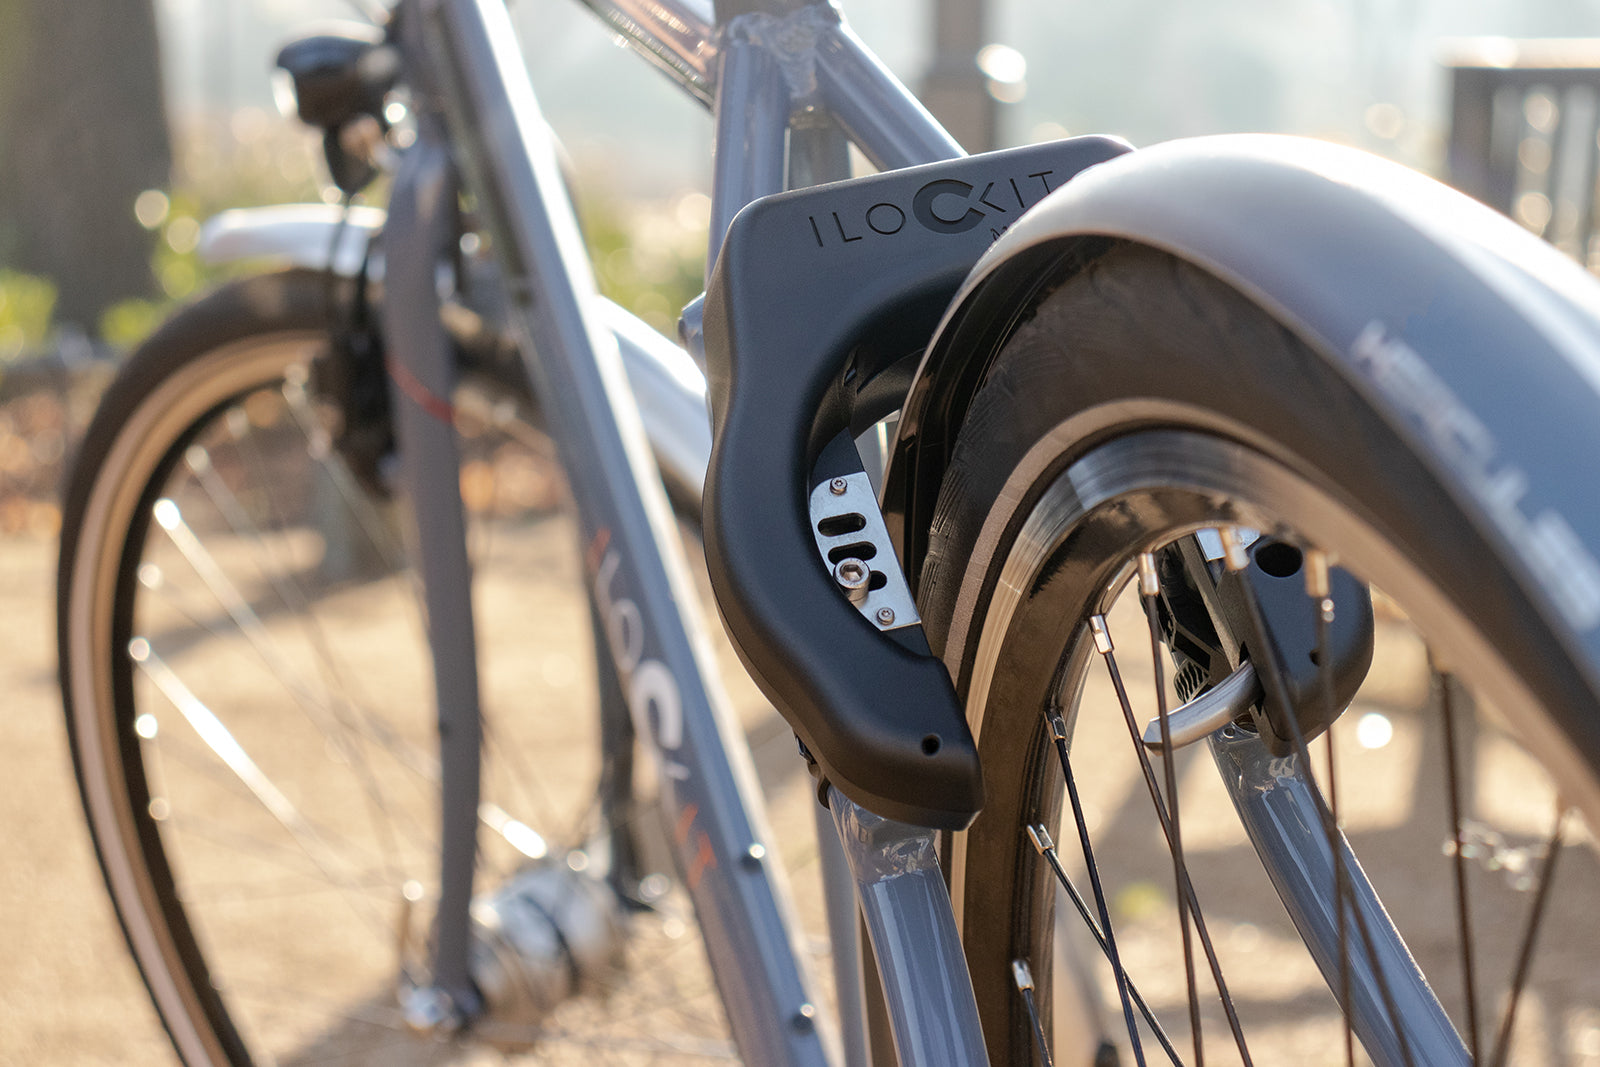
x=1238, y=385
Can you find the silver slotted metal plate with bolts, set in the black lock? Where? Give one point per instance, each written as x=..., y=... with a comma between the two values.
x=849, y=526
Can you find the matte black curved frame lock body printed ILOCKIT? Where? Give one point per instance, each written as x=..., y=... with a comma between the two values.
x=817, y=300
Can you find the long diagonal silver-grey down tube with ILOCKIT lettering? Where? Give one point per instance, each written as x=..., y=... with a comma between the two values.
x=631, y=546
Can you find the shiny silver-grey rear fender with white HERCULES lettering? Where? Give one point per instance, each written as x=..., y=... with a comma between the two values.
x=1474, y=340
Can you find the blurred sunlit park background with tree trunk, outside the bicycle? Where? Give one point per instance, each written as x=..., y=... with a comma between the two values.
x=126, y=124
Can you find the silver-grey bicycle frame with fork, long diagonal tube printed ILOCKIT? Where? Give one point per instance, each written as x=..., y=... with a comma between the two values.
x=801, y=78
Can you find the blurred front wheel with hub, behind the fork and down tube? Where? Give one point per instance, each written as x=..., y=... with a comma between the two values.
x=250, y=705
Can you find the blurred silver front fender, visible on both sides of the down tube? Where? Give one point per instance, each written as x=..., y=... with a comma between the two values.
x=670, y=388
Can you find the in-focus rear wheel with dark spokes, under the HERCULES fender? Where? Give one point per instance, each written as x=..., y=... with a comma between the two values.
x=1145, y=415
